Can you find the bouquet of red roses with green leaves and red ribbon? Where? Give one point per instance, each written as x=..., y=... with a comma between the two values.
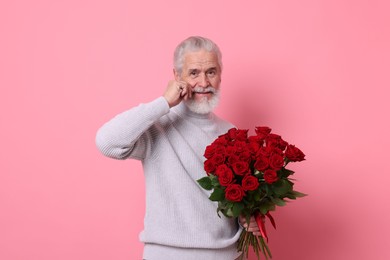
x=248, y=177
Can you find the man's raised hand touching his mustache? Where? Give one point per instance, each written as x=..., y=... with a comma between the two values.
x=177, y=91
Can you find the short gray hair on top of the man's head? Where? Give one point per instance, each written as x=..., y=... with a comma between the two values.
x=191, y=44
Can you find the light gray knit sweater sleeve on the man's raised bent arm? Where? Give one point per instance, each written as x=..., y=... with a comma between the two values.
x=124, y=135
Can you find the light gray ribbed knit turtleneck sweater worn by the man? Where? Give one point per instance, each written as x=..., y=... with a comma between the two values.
x=180, y=221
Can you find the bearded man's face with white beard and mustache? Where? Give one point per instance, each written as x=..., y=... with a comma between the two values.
x=202, y=72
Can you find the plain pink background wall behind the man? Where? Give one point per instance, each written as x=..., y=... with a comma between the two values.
x=317, y=72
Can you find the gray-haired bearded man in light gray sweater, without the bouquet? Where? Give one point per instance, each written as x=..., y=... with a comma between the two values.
x=169, y=136
